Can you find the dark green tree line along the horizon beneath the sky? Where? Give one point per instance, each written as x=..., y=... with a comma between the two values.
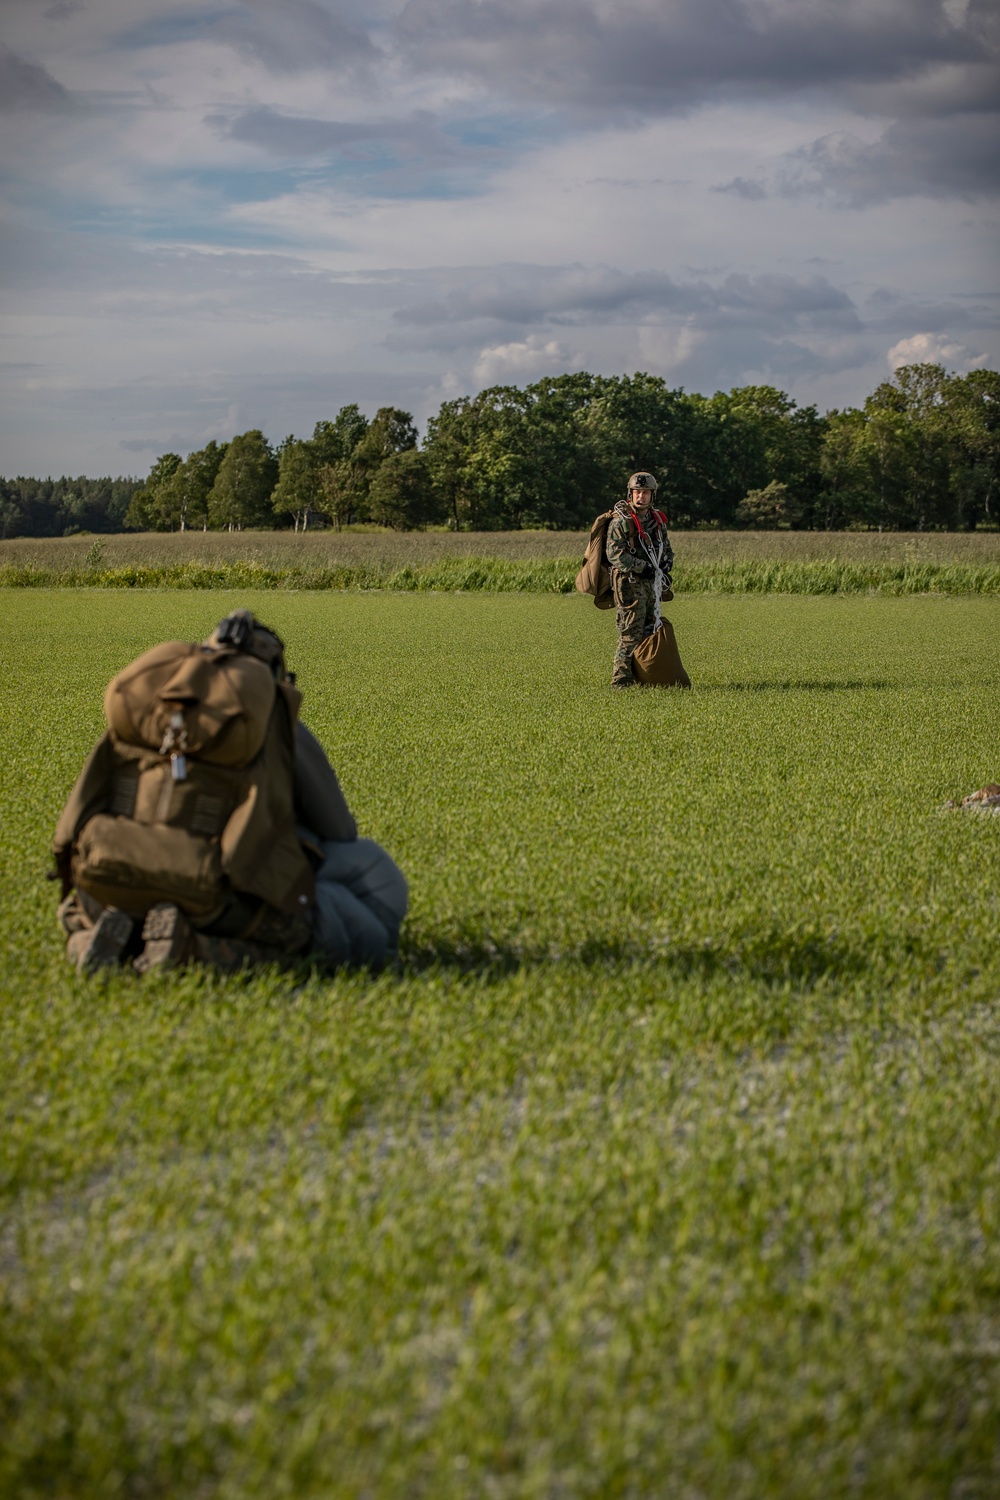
x=923, y=454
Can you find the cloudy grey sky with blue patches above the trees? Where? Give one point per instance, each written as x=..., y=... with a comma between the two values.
x=221, y=215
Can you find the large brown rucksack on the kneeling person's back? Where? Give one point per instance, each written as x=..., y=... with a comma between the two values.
x=190, y=796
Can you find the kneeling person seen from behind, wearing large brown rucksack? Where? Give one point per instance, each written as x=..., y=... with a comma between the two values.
x=209, y=824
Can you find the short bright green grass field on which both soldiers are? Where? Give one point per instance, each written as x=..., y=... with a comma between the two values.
x=666, y=1165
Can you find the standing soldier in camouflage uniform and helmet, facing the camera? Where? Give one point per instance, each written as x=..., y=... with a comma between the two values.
x=641, y=560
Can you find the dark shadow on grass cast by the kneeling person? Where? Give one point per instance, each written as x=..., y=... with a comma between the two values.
x=764, y=958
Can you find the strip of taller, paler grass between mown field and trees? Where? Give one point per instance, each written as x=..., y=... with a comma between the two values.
x=512, y=562
